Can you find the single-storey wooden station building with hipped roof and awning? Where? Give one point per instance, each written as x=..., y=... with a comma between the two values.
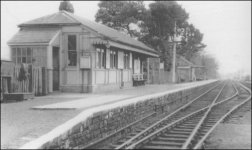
x=80, y=55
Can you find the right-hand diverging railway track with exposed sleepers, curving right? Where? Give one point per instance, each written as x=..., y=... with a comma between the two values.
x=188, y=131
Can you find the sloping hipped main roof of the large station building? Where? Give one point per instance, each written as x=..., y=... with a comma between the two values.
x=66, y=18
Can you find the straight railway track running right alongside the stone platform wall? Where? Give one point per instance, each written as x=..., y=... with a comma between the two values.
x=149, y=121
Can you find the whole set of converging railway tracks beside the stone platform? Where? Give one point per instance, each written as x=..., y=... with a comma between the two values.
x=184, y=128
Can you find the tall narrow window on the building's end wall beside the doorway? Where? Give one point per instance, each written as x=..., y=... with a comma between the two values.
x=72, y=50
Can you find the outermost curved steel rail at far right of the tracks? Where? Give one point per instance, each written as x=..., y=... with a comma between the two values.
x=201, y=142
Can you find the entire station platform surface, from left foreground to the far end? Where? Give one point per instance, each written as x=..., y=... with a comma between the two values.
x=25, y=121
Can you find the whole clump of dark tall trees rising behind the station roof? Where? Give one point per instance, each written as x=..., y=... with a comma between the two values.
x=156, y=25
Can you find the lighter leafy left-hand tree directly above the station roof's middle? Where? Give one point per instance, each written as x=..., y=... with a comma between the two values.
x=121, y=15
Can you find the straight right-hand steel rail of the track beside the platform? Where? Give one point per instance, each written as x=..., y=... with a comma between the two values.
x=128, y=142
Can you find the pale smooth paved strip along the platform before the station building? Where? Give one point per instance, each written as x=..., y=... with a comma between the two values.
x=106, y=98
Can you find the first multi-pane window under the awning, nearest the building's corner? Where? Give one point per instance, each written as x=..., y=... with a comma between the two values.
x=101, y=58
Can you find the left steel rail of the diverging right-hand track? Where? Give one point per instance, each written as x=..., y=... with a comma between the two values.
x=171, y=124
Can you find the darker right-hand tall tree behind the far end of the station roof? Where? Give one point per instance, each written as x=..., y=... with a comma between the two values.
x=160, y=24
